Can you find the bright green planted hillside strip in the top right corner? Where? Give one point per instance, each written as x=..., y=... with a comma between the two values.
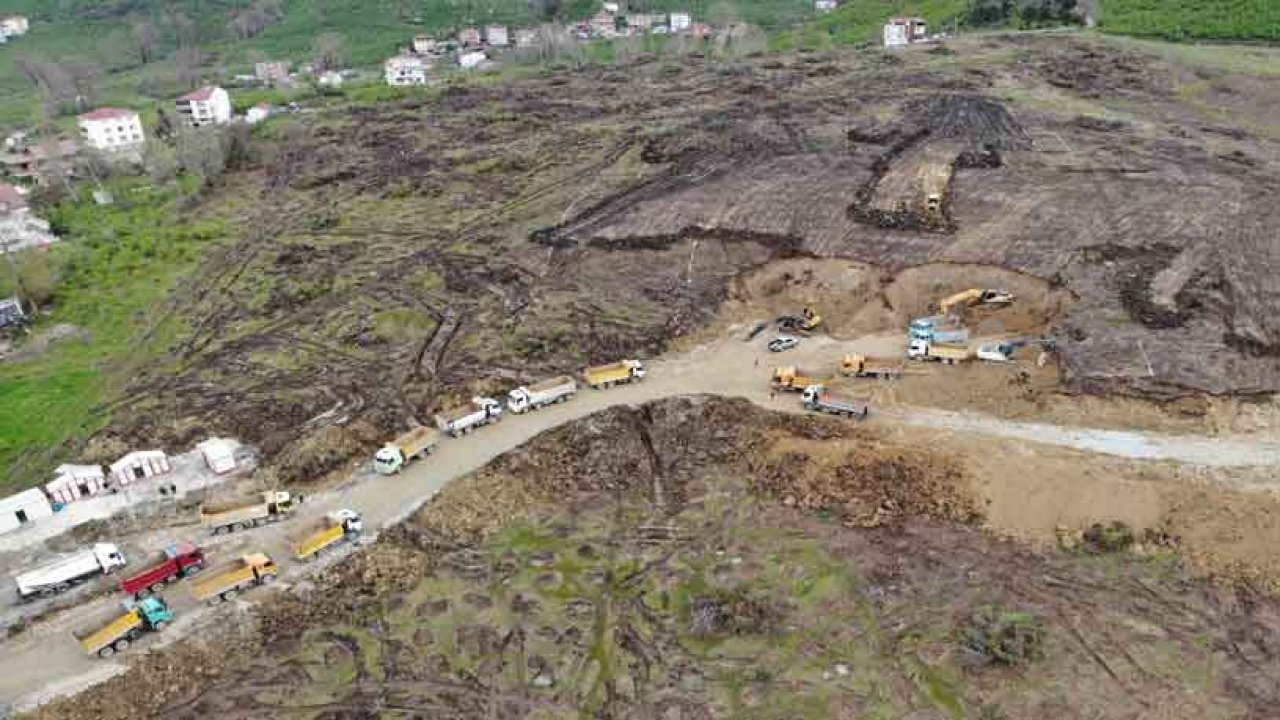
x=1194, y=20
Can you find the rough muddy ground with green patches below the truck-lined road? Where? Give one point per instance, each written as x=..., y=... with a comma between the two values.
x=701, y=558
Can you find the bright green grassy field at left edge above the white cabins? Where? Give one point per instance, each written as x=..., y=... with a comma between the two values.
x=117, y=267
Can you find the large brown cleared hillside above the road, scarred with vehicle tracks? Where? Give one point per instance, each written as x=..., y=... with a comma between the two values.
x=397, y=258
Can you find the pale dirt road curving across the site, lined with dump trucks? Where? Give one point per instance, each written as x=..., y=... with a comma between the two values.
x=45, y=662
